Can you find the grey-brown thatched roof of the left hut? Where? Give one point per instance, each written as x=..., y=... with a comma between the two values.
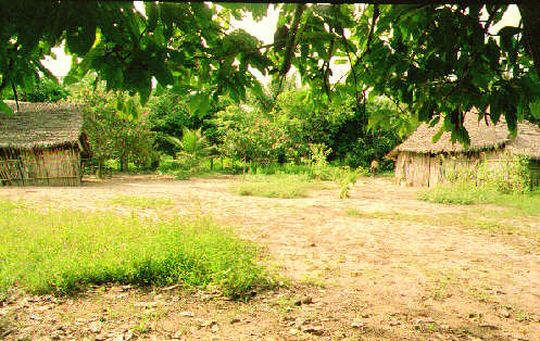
x=40, y=125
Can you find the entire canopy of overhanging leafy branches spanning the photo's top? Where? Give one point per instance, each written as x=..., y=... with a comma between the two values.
x=439, y=60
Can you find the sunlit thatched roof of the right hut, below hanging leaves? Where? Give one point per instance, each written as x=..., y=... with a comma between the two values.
x=483, y=134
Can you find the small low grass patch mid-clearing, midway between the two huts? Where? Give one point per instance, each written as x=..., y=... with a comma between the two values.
x=275, y=186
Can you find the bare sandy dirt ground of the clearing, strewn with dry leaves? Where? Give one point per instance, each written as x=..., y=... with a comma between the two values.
x=380, y=265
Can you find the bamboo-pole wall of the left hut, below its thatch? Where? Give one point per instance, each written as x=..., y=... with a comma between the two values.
x=43, y=167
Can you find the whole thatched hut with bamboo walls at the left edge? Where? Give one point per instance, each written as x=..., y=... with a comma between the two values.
x=41, y=144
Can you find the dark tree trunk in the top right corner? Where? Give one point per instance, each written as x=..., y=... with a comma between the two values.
x=530, y=13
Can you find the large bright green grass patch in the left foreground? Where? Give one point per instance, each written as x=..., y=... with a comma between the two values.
x=61, y=251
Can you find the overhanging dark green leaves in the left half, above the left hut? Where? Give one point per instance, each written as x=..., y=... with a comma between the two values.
x=183, y=45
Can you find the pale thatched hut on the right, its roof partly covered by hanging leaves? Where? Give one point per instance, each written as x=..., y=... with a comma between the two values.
x=420, y=162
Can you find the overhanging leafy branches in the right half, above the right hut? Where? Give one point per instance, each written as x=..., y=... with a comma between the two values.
x=439, y=60
